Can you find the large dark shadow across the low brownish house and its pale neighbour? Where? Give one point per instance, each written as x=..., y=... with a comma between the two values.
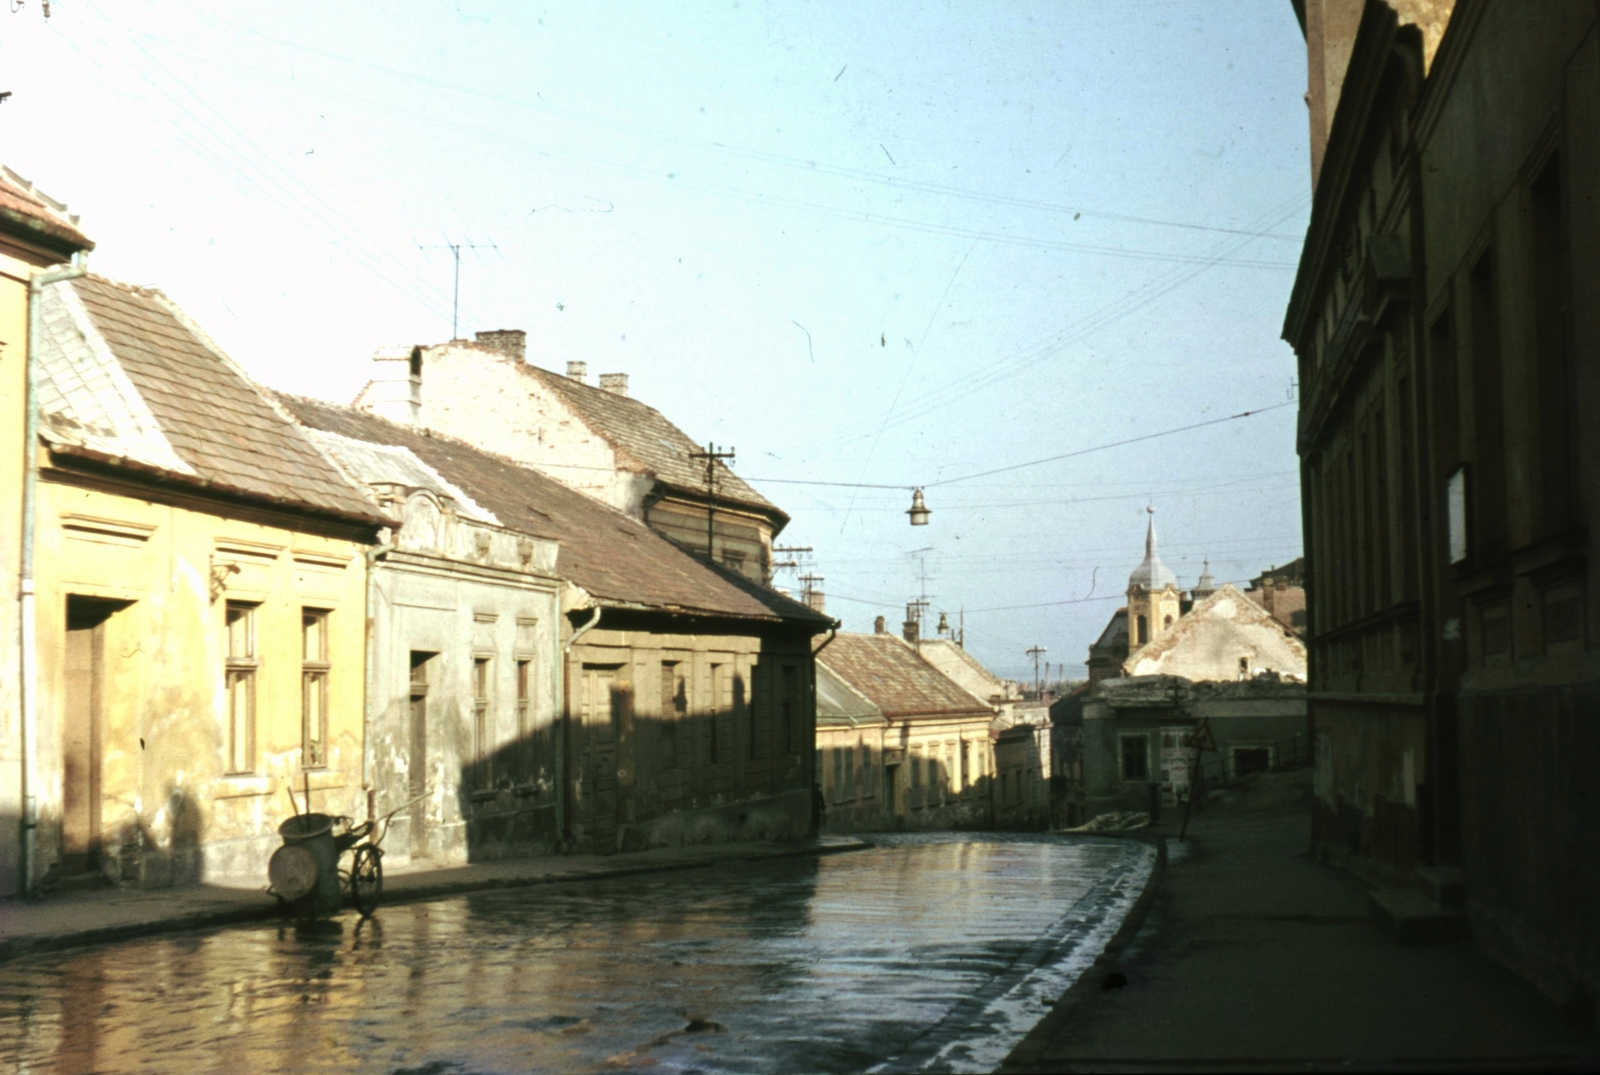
x=612, y=778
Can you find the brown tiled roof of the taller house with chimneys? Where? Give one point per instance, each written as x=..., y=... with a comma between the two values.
x=642, y=434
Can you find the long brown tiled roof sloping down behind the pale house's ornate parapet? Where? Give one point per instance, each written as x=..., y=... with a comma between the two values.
x=612, y=556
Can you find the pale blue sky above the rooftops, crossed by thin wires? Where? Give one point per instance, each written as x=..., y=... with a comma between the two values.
x=863, y=246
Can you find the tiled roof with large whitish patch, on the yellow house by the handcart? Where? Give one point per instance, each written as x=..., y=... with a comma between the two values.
x=210, y=422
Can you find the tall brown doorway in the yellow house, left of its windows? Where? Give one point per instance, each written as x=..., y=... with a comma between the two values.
x=82, y=732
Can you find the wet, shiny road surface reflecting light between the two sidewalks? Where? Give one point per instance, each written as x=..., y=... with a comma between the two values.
x=924, y=954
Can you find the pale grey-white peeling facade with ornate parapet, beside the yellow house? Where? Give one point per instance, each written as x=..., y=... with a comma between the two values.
x=463, y=593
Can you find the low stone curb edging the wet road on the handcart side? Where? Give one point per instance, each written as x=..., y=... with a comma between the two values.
x=17, y=948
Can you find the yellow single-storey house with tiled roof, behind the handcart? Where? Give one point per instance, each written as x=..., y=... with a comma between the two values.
x=201, y=604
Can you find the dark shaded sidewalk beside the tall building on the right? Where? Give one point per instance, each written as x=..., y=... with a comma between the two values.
x=1255, y=957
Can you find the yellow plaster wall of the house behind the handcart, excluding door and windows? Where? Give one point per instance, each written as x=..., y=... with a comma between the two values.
x=170, y=812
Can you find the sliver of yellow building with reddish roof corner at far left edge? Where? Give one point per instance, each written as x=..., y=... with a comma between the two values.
x=34, y=236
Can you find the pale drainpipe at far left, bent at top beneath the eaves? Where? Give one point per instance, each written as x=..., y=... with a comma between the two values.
x=28, y=628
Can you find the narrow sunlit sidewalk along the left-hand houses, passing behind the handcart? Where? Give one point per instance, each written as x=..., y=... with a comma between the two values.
x=119, y=914
